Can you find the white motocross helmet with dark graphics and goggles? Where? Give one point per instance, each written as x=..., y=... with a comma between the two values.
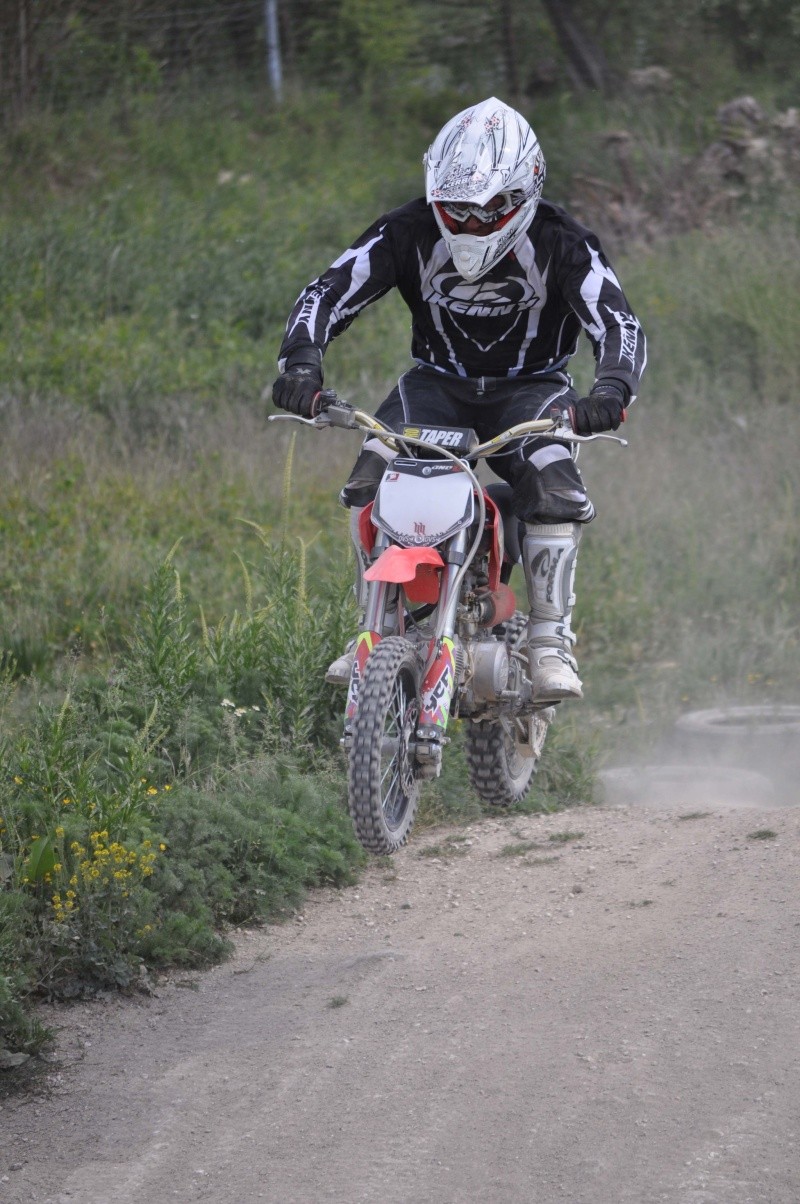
x=487, y=164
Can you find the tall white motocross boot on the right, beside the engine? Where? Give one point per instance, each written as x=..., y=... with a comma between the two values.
x=550, y=552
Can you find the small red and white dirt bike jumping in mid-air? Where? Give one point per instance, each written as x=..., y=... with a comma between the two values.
x=442, y=634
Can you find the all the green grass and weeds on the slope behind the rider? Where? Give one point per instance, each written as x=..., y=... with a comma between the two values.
x=175, y=571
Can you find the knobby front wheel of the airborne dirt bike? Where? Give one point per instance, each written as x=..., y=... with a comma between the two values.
x=384, y=790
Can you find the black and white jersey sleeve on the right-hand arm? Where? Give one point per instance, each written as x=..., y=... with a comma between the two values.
x=592, y=290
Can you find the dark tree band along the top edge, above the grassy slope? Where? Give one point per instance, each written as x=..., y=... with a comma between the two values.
x=393, y=55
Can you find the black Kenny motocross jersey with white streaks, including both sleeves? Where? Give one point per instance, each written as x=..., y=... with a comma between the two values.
x=523, y=318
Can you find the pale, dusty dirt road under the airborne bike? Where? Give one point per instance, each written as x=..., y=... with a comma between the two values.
x=596, y=1007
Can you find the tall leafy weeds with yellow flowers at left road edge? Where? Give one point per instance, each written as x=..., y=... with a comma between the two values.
x=143, y=812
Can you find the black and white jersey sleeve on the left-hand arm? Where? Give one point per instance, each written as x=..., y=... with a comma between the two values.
x=327, y=306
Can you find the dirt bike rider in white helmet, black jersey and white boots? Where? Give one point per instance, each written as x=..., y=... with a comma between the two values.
x=499, y=285
